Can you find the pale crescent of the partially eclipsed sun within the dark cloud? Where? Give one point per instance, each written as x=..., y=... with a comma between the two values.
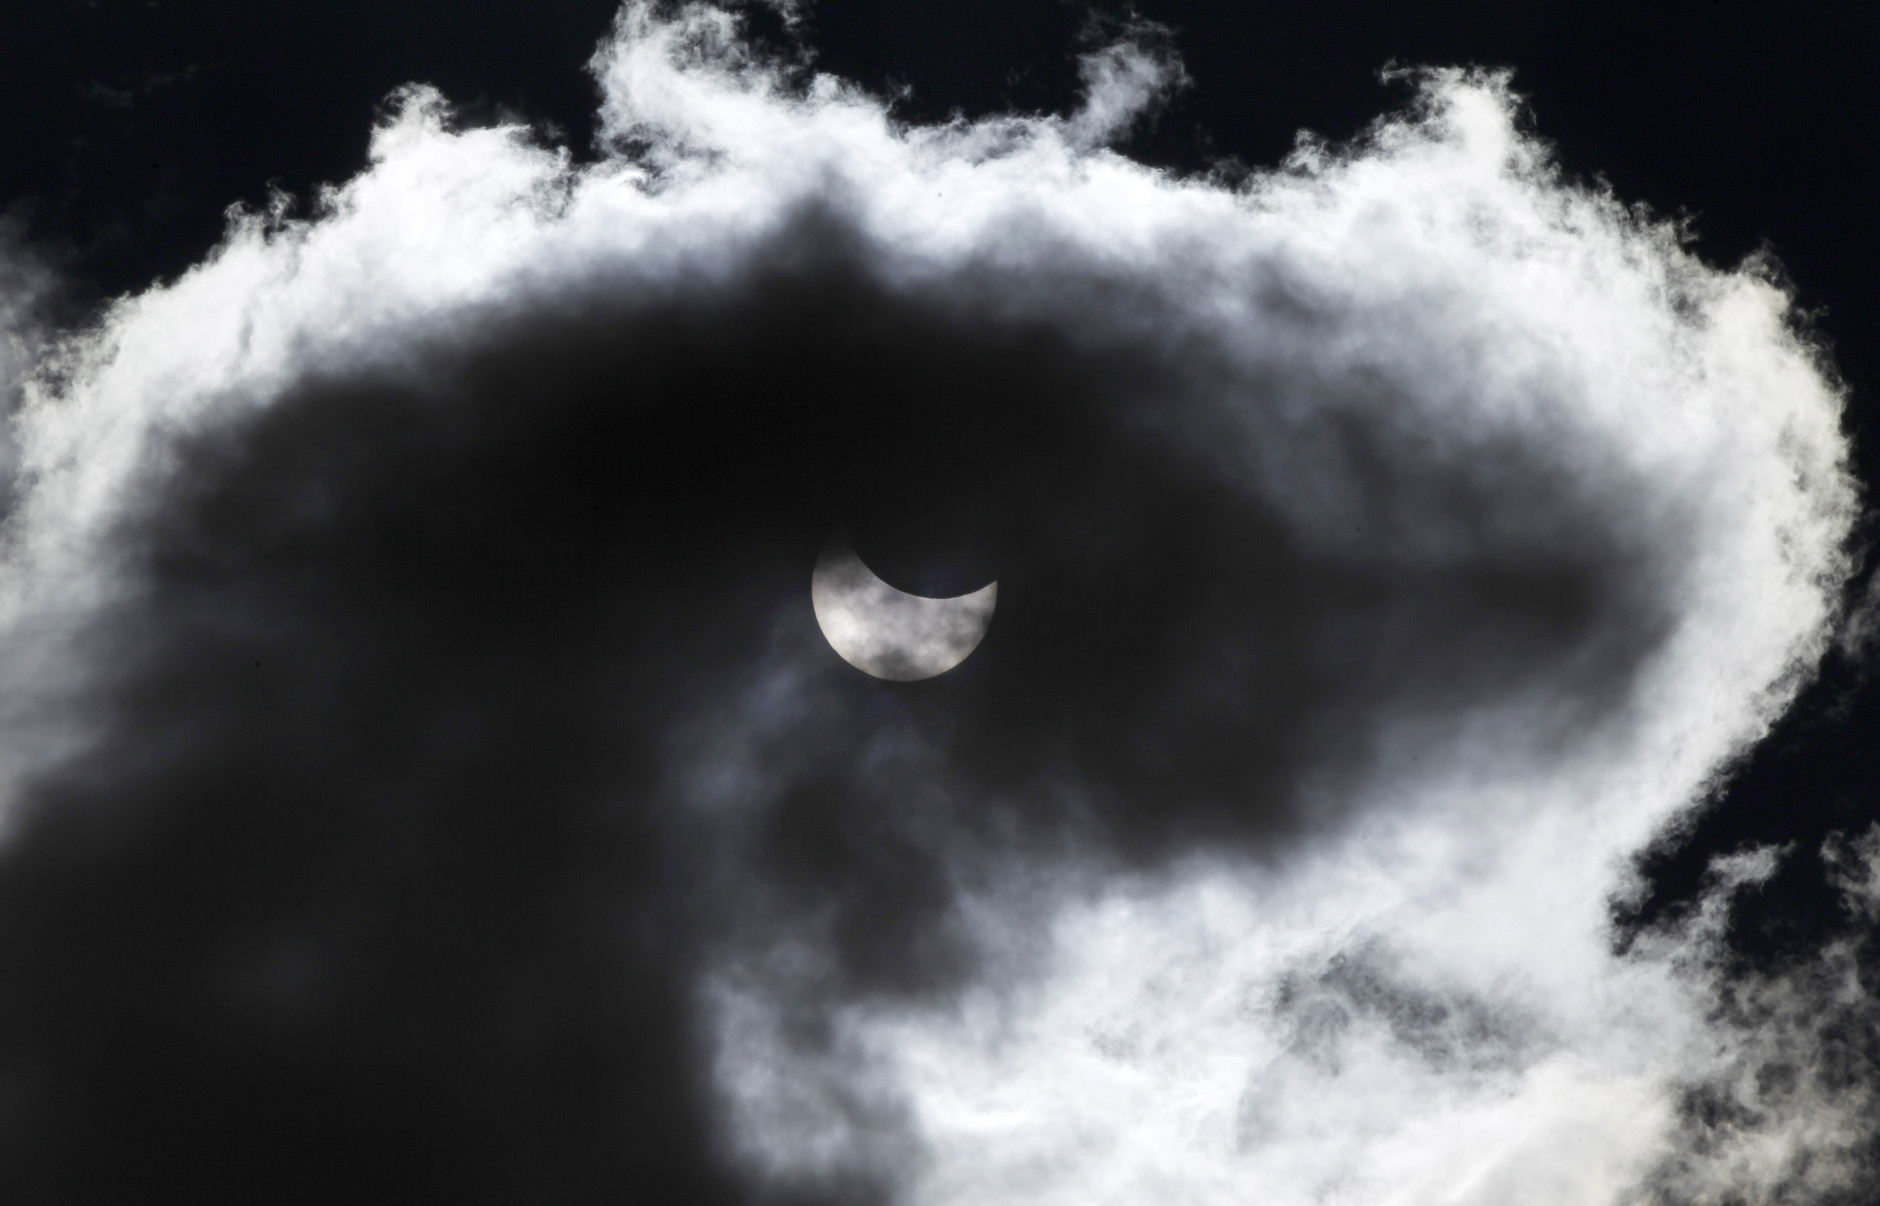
x=890, y=633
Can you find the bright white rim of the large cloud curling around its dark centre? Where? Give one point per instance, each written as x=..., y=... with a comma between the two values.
x=1420, y=1006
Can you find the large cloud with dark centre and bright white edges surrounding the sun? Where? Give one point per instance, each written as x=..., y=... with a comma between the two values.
x=426, y=776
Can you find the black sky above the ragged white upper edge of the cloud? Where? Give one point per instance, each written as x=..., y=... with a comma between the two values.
x=134, y=125
